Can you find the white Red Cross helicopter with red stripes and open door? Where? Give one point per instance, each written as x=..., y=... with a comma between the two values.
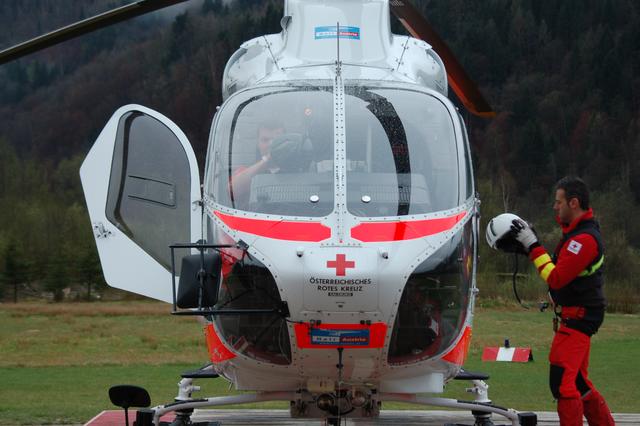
x=332, y=246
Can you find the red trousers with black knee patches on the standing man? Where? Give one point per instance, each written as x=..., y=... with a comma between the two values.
x=569, y=382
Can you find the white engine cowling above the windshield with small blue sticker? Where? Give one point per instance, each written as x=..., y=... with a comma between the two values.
x=365, y=40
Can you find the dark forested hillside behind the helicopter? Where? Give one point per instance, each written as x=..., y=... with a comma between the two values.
x=562, y=76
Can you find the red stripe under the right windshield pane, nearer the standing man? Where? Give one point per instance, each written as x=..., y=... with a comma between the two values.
x=374, y=232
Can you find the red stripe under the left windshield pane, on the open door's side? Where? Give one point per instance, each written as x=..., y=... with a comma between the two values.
x=277, y=229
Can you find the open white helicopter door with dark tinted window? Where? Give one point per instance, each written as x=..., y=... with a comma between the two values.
x=142, y=187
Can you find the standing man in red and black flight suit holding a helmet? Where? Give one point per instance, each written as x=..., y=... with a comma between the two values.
x=574, y=276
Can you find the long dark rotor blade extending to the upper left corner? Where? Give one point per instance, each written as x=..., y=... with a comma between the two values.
x=85, y=26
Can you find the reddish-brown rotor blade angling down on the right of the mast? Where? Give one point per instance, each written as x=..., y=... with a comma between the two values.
x=460, y=82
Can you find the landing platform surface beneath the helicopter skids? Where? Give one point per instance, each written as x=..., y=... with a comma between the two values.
x=387, y=417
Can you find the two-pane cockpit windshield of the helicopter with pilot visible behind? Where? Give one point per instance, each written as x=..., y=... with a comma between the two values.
x=274, y=151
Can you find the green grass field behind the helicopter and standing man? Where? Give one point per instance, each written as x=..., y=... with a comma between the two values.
x=58, y=360
